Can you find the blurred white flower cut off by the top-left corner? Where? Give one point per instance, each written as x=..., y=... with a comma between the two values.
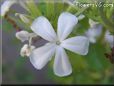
x=6, y=6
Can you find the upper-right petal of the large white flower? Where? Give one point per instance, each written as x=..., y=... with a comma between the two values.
x=66, y=22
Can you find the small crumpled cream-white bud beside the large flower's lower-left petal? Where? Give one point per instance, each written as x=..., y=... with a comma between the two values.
x=26, y=50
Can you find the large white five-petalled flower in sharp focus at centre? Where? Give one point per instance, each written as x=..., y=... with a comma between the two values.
x=57, y=42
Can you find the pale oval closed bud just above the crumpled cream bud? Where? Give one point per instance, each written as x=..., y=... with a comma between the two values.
x=24, y=35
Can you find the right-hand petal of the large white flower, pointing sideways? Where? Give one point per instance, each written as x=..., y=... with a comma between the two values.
x=79, y=44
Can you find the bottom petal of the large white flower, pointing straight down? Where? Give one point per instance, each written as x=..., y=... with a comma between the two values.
x=62, y=66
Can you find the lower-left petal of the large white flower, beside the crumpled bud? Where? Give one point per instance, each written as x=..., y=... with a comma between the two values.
x=40, y=56
